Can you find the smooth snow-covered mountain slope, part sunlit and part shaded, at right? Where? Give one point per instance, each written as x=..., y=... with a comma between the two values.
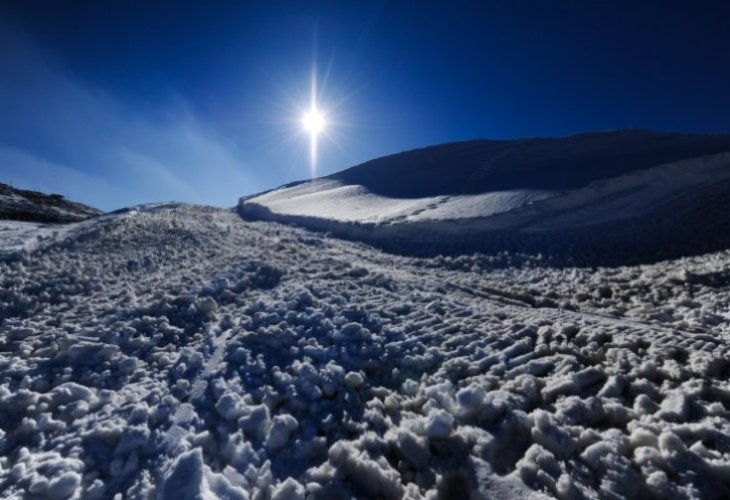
x=585, y=196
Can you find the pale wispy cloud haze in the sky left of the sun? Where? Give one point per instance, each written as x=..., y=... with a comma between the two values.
x=62, y=134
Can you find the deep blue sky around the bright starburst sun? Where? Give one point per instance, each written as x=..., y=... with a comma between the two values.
x=116, y=103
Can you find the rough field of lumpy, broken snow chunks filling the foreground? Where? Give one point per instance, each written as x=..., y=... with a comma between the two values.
x=179, y=352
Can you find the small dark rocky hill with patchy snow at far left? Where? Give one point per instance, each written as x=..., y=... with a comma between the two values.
x=32, y=206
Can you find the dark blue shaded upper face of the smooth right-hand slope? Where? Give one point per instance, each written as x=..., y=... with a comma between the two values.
x=563, y=163
